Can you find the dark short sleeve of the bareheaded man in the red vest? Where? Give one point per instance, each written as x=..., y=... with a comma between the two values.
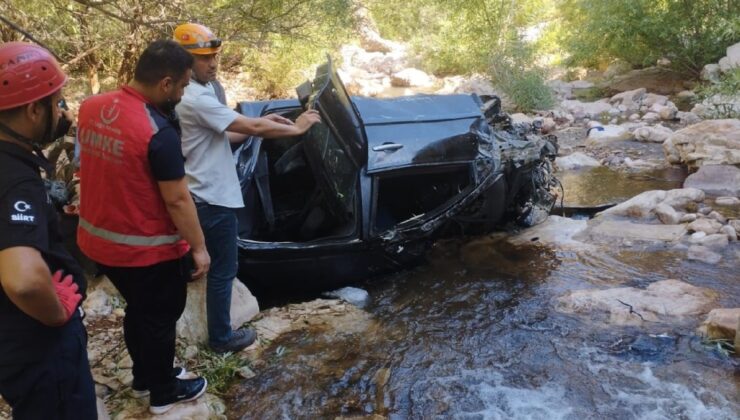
x=165, y=155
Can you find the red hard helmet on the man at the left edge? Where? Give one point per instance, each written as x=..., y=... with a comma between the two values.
x=27, y=74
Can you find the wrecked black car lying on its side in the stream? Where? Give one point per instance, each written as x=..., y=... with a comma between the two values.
x=369, y=189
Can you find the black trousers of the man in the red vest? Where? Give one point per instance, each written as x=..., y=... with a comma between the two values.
x=155, y=298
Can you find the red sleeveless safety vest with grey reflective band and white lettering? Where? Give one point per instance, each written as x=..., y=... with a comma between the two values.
x=123, y=218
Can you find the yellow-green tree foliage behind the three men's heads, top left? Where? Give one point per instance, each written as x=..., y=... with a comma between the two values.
x=102, y=39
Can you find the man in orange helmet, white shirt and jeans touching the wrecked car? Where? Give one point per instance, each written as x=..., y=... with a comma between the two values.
x=208, y=129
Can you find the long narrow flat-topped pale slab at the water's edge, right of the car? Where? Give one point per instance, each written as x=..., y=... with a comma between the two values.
x=609, y=230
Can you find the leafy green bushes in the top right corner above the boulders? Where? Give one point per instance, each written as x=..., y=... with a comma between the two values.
x=691, y=33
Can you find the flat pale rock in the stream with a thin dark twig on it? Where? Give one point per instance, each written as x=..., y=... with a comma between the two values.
x=661, y=301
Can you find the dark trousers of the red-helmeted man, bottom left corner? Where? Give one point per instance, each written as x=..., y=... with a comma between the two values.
x=58, y=387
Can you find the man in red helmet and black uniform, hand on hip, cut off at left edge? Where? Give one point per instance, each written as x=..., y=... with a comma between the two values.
x=44, y=369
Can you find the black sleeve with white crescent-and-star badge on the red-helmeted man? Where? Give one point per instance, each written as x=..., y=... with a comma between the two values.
x=23, y=216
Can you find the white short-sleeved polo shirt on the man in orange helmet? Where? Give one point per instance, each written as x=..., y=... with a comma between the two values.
x=209, y=163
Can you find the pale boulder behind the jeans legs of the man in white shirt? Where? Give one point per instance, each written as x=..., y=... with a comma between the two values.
x=192, y=325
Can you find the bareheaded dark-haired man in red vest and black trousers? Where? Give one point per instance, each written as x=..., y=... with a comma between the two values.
x=137, y=218
